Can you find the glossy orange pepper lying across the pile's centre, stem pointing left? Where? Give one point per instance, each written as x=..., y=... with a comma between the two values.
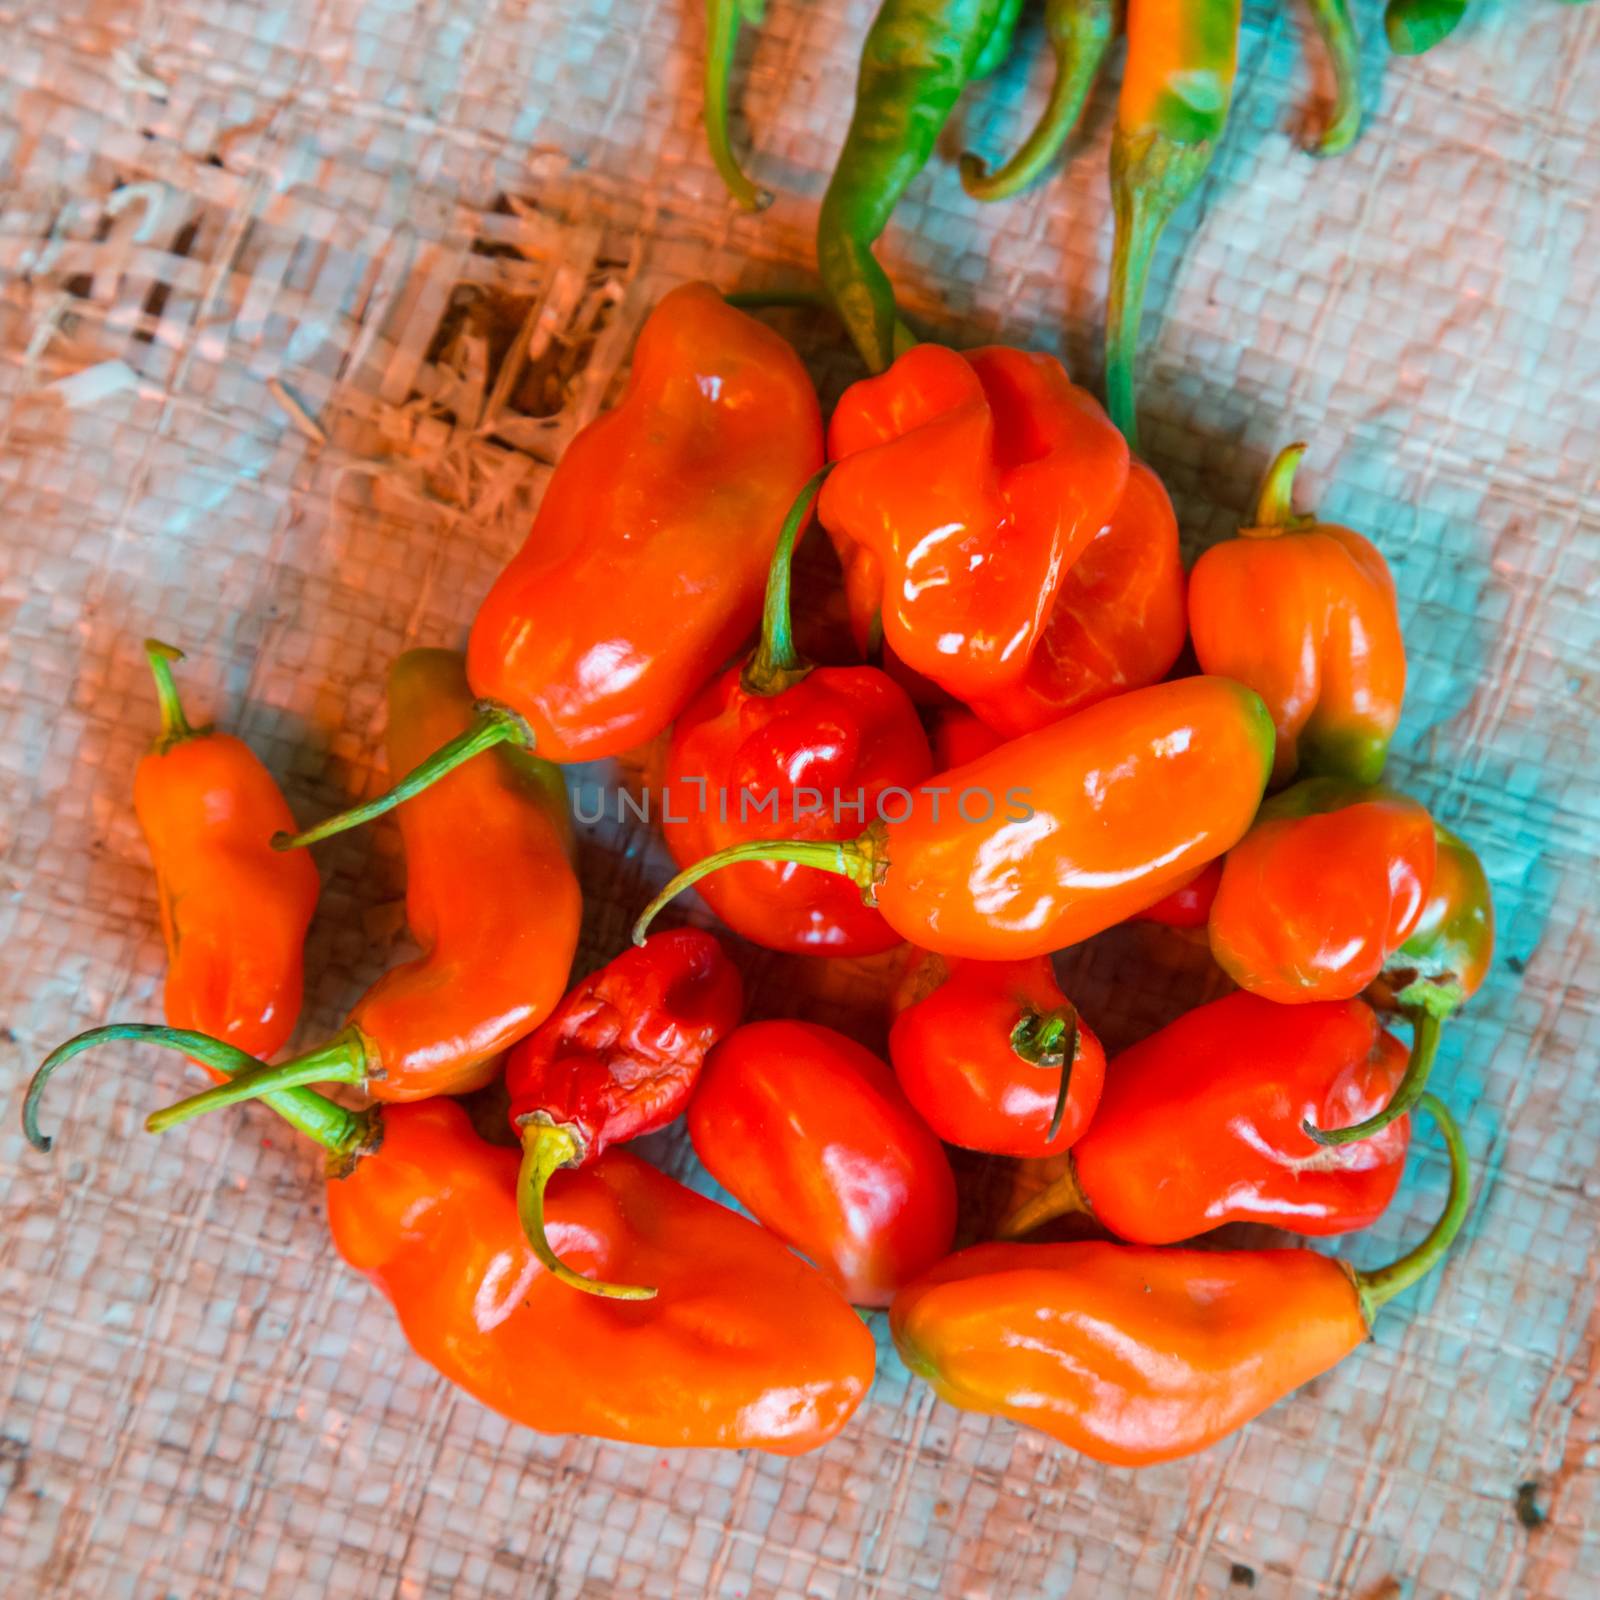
x=1078, y=826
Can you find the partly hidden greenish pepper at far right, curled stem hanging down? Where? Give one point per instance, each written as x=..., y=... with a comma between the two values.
x=1433, y=975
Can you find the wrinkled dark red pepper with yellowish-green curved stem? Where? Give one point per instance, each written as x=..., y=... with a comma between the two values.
x=615, y=1060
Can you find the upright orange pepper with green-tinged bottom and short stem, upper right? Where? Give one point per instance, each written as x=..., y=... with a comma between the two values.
x=1306, y=615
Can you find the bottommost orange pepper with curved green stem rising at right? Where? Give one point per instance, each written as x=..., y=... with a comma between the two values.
x=1135, y=1354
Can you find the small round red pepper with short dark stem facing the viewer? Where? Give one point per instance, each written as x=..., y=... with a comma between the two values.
x=994, y=1057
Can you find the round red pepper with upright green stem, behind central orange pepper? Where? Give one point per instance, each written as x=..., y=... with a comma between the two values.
x=766, y=734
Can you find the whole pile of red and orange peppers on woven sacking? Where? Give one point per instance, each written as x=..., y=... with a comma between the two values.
x=1006, y=770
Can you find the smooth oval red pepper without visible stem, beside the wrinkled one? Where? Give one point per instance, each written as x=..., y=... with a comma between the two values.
x=814, y=1137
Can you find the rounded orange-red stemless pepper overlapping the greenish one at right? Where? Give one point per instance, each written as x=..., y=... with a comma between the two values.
x=1327, y=886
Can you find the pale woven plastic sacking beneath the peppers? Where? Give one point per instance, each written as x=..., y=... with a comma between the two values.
x=226, y=218
